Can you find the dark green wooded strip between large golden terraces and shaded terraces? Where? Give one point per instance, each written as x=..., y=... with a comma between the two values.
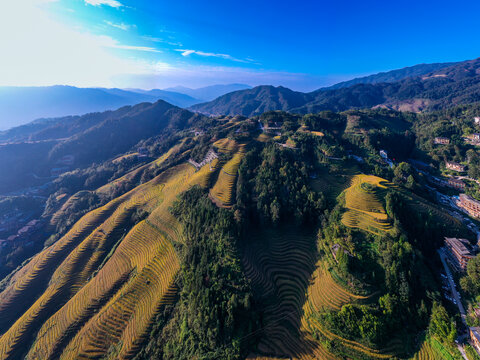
x=214, y=310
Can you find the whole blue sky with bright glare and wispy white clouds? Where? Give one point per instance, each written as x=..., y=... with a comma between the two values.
x=303, y=45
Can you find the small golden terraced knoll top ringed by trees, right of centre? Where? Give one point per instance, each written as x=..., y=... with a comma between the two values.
x=363, y=201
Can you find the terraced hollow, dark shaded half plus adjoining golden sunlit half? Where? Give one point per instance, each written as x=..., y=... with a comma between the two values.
x=295, y=288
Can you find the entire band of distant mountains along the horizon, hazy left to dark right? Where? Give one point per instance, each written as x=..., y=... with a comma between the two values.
x=415, y=88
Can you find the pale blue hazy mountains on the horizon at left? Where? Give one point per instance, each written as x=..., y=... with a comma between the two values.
x=20, y=105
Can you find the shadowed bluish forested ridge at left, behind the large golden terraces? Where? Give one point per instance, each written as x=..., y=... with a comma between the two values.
x=89, y=138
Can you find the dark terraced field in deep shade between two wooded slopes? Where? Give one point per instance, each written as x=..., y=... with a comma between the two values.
x=280, y=265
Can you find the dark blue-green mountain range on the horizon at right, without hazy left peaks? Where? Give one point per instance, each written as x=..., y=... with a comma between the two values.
x=446, y=86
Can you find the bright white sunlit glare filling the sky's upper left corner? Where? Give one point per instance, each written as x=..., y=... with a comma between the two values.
x=37, y=50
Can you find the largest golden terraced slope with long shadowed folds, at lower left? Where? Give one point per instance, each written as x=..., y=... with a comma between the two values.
x=95, y=292
